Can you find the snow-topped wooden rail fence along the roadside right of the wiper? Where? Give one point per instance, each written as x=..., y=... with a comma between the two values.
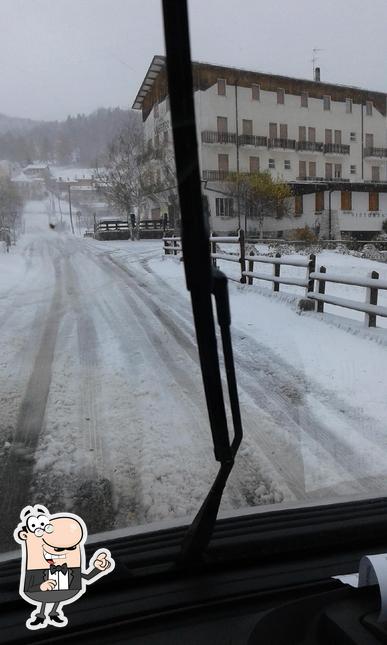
x=313, y=282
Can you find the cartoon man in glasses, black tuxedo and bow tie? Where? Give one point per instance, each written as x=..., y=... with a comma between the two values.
x=53, y=553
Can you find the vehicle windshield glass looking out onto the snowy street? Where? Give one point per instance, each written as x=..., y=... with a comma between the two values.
x=103, y=408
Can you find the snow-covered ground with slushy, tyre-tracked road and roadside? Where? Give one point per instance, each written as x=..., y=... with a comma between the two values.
x=101, y=394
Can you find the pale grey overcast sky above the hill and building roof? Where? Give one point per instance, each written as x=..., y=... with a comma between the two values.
x=60, y=57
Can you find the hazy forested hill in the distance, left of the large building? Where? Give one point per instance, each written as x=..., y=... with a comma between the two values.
x=77, y=140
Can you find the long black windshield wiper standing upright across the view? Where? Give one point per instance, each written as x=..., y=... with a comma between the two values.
x=203, y=280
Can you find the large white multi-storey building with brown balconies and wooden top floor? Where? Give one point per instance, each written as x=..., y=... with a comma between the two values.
x=327, y=141
